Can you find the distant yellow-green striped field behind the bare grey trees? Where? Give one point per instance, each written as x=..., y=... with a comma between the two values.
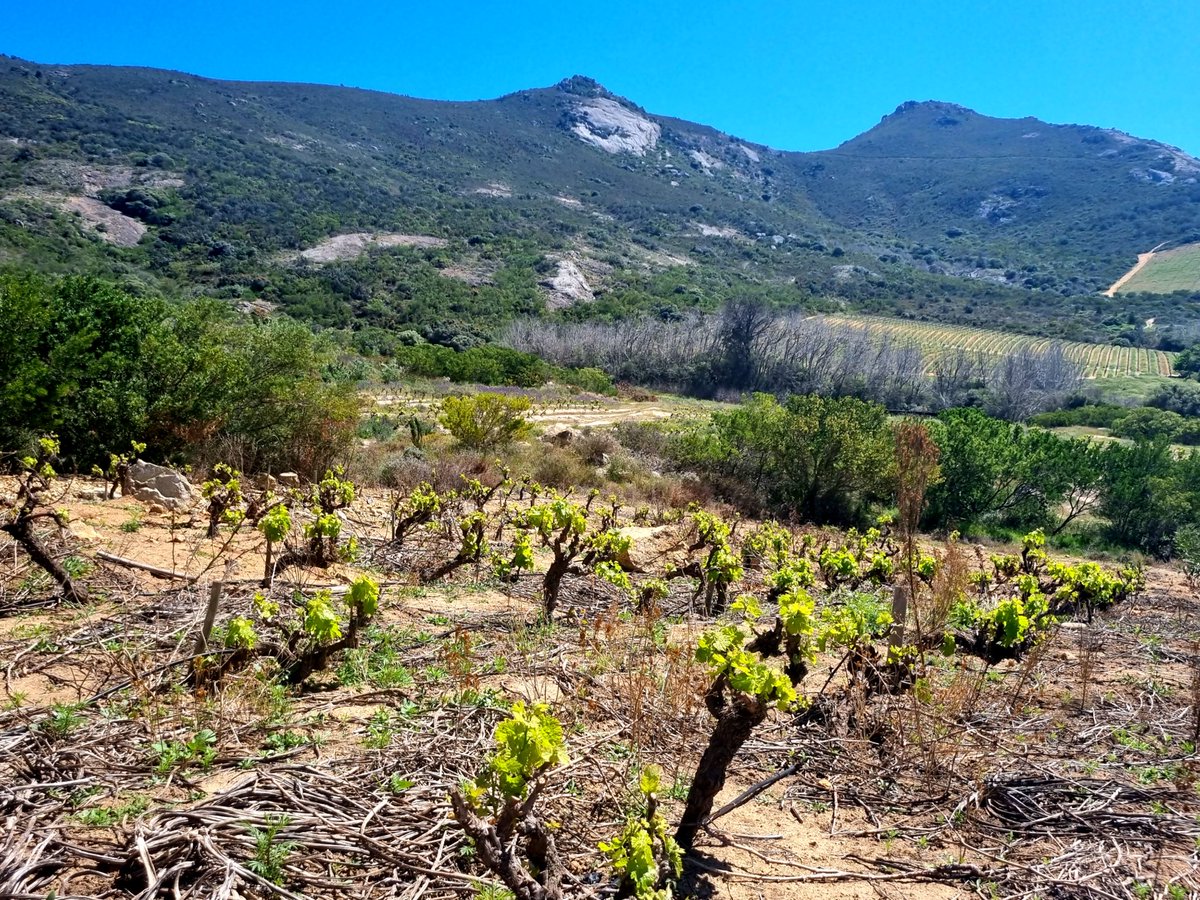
x=1099, y=361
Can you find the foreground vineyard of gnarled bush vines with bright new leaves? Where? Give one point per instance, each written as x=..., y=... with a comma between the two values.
x=483, y=687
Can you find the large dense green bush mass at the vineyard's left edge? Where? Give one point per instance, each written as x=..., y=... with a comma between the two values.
x=101, y=369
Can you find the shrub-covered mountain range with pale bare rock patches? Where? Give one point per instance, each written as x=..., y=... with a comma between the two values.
x=346, y=206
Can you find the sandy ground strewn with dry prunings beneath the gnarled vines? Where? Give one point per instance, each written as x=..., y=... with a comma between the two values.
x=1072, y=773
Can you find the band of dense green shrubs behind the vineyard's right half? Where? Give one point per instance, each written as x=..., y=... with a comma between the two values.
x=820, y=460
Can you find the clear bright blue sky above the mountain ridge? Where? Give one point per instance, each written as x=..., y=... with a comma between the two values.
x=795, y=75
